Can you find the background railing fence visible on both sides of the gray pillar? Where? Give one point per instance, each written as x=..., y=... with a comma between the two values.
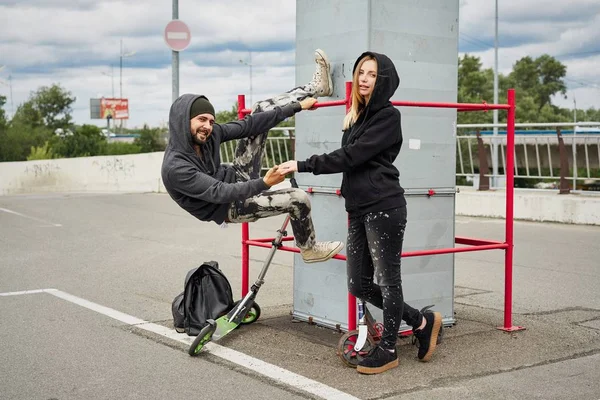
x=537, y=153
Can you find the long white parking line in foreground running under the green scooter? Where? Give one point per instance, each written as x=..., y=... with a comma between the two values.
x=272, y=371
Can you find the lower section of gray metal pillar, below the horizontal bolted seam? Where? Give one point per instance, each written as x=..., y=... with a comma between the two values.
x=320, y=289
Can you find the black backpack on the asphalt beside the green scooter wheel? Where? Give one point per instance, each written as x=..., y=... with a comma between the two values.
x=207, y=295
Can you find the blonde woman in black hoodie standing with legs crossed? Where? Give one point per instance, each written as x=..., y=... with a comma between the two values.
x=376, y=207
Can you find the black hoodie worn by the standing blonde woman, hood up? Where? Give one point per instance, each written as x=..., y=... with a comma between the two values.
x=369, y=148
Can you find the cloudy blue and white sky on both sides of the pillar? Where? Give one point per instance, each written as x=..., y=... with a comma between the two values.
x=78, y=45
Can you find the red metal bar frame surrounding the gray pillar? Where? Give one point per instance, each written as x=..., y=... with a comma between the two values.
x=474, y=244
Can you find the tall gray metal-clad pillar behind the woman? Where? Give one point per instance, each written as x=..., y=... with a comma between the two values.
x=421, y=38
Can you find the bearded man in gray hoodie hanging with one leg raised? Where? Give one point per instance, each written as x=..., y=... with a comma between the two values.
x=195, y=178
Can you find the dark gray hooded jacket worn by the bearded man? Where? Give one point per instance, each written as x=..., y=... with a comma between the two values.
x=203, y=186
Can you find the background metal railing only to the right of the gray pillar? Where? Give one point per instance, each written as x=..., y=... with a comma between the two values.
x=544, y=155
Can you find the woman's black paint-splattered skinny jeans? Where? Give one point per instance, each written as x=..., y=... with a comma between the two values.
x=373, y=251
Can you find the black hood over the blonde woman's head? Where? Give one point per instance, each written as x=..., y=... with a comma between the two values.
x=386, y=84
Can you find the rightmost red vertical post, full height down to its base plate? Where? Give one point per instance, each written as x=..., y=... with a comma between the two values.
x=510, y=191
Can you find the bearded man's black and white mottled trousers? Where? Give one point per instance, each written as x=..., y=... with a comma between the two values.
x=247, y=163
